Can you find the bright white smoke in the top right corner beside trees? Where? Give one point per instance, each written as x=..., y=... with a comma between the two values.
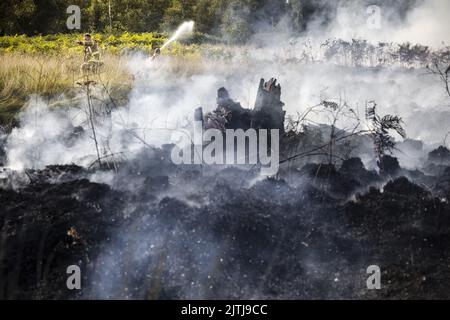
x=426, y=23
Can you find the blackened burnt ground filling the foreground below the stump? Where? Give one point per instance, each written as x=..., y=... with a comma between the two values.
x=165, y=232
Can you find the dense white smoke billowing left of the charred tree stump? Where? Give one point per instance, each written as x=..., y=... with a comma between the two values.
x=160, y=102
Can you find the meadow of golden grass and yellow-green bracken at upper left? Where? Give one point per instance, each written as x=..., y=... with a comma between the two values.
x=50, y=65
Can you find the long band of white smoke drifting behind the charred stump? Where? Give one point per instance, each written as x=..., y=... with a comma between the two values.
x=163, y=100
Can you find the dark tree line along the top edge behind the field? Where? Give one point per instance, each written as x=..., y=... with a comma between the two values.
x=236, y=19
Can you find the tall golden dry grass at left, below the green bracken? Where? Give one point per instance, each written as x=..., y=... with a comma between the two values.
x=21, y=76
